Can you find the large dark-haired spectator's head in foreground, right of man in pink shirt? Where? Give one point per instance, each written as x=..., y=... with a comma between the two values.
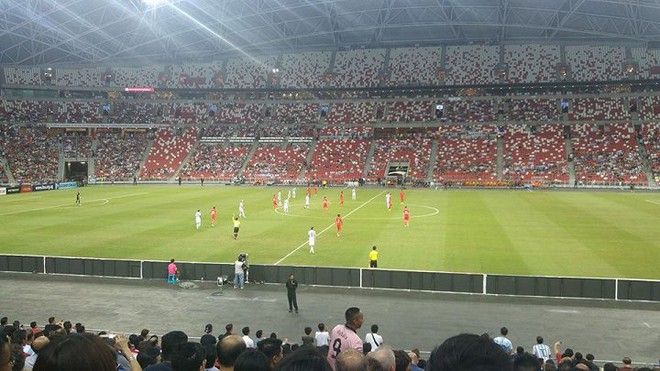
x=468, y=352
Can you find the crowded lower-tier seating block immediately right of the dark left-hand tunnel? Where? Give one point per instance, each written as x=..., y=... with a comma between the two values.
x=118, y=156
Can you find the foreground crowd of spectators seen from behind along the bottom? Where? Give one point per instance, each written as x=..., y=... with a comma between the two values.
x=63, y=346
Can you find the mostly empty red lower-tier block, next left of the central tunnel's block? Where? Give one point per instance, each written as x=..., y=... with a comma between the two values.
x=338, y=160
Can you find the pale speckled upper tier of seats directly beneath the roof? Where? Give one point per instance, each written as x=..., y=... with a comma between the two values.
x=363, y=68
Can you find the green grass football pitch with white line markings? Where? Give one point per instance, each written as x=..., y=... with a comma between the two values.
x=557, y=233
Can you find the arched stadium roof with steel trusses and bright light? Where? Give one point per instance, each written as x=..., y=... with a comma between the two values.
x=57, y=32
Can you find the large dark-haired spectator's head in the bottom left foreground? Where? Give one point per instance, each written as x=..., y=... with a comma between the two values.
x=77, y=352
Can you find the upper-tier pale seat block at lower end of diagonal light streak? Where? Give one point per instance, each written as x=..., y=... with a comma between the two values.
x=249, y=73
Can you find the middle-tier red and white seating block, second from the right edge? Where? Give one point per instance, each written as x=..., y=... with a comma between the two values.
x=598, y=109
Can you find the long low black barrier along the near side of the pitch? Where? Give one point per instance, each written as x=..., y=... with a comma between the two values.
x=468, y=283
